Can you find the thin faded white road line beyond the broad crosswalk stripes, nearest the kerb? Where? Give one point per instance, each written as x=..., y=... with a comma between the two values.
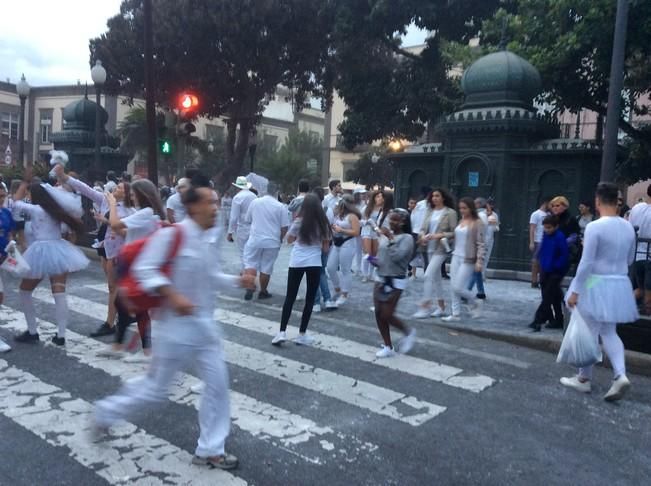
x=438, y=344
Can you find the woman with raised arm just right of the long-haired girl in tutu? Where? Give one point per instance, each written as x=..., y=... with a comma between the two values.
x=112, y=241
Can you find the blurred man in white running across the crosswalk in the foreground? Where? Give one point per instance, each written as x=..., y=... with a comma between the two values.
x=185, y=331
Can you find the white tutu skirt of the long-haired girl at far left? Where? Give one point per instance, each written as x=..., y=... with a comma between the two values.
x=48, y=258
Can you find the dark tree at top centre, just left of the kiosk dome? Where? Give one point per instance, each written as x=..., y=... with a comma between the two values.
x=392, y=92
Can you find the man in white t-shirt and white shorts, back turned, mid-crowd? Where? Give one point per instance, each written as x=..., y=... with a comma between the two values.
x=269, y=222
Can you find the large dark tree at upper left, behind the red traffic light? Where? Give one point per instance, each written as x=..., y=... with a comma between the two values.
x=233, y=55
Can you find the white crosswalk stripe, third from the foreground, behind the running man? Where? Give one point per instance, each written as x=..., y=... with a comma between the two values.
x=359, y=393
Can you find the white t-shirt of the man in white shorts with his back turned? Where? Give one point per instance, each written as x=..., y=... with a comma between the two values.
x=267, y=217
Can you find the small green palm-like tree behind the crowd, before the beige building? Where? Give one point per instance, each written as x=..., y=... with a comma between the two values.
x=289, y=164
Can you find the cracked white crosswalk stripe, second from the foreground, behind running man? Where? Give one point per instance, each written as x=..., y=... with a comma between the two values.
x=262, y=420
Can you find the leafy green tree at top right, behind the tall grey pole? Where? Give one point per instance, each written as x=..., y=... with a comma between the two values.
x=570, y=42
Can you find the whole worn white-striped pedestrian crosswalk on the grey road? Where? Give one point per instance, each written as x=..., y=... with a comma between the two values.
x=62, y=419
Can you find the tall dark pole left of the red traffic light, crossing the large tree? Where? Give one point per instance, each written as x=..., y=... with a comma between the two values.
x=150, y=102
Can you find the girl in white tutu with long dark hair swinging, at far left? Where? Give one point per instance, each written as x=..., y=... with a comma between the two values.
x=49, y=255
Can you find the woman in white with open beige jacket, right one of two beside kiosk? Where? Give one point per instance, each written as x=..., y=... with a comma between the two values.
x=467, y=257
